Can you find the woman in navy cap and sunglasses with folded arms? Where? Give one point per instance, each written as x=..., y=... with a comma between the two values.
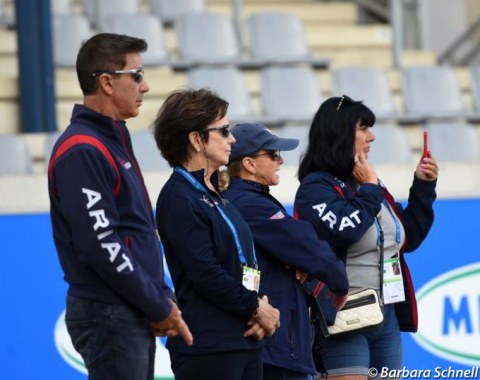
x=287, y=249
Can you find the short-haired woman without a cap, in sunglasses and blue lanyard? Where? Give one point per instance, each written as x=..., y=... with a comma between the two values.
x=208, y=246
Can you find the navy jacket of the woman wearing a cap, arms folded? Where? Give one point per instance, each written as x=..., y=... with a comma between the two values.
x=283, y=245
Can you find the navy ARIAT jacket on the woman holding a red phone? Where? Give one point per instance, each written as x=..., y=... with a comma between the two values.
x=341, y=214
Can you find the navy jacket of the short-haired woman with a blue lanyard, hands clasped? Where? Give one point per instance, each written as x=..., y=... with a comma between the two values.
x=205, y=266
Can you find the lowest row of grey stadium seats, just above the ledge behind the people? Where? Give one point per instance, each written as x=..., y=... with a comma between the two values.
x=450, y=142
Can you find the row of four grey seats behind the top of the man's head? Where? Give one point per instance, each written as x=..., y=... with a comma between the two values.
x=202, y=38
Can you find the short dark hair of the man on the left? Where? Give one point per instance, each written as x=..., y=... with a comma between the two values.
x=104, y=52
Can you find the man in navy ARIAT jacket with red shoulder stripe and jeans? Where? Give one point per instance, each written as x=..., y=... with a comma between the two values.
x=103, y=224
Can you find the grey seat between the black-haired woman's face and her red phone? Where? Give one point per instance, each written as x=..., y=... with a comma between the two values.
x=391, y=145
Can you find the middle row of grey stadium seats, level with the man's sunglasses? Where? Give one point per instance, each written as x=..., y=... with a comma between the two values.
x=279, y=94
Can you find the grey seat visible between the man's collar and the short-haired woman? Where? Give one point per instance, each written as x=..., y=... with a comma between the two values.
x=146, y=151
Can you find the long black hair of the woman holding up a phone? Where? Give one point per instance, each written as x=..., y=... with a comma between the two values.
x=331, y=138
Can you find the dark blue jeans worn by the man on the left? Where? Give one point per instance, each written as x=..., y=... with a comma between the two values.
x=114, y=340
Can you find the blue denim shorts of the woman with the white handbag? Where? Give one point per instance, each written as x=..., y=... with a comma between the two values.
x=356, y=354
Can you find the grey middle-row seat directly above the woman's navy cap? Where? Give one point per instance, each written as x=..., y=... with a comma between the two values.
x=290, y=93
